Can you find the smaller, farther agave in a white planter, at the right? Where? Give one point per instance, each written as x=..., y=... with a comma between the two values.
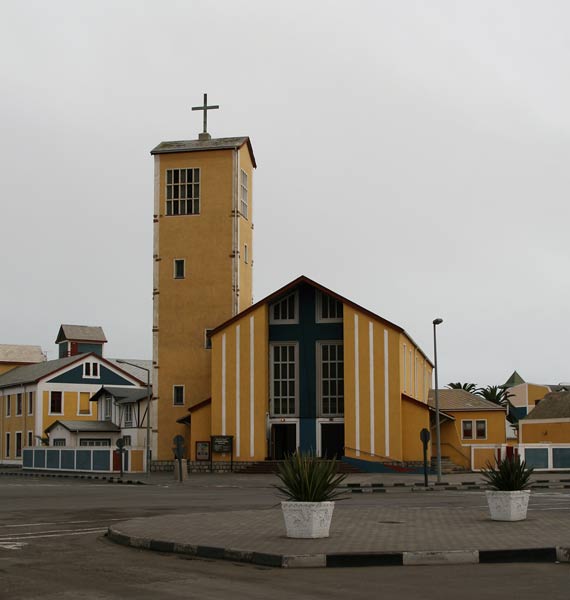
x=509, y=481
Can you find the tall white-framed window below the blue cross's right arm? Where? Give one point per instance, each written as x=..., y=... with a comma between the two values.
x=331, y=378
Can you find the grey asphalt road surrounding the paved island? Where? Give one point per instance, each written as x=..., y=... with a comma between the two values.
x=52, y=545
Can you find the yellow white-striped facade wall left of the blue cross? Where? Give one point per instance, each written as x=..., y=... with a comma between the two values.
x=231, y=384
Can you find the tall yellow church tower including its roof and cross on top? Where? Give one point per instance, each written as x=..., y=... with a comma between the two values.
x=203, y=259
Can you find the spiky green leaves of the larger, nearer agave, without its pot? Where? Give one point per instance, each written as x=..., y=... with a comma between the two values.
x=306, y=478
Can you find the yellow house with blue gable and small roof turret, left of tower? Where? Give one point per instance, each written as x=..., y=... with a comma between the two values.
x=34, y=397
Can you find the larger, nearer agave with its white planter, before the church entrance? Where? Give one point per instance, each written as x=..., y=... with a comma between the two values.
x=310, y=486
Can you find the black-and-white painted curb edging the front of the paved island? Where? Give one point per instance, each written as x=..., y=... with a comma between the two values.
x=355, y=559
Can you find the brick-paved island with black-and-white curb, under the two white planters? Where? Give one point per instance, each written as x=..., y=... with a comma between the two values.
x=360, y=536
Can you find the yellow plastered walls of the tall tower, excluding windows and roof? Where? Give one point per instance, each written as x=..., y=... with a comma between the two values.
x=204, y=297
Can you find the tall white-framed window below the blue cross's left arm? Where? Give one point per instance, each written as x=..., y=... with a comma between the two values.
x=284, y=379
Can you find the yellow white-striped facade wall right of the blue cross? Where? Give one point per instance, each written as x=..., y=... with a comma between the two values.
x=368, y=434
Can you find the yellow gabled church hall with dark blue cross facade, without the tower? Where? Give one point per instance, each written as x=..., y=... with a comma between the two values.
x=307, y=368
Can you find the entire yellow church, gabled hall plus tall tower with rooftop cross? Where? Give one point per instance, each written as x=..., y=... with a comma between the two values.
x=302, y=368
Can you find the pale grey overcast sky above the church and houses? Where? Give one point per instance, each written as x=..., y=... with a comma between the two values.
x=412, y=156
